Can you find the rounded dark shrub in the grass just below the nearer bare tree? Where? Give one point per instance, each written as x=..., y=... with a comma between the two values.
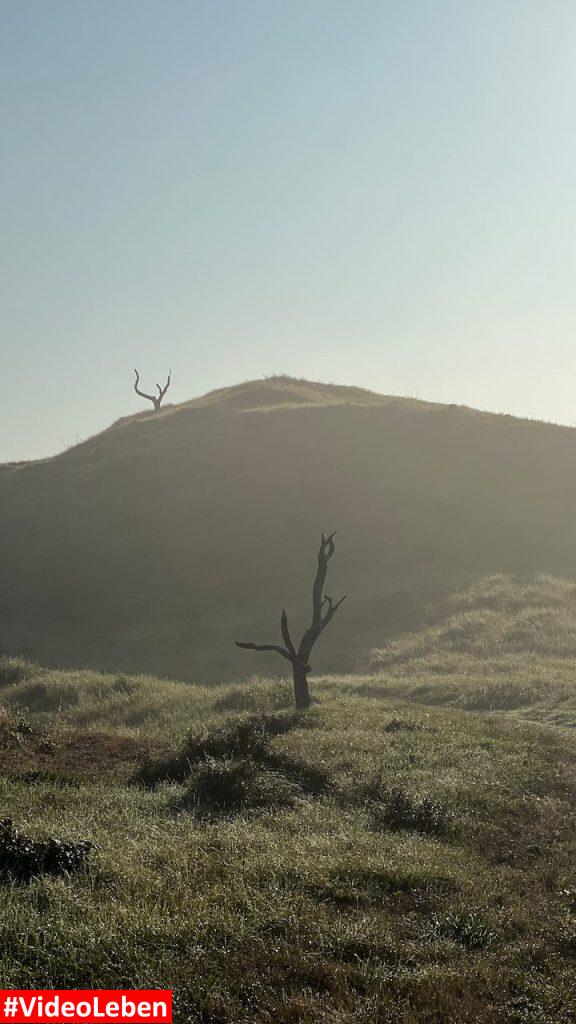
x=231, y=785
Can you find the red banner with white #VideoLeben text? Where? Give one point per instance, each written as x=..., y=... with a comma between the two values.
x=47, y=1007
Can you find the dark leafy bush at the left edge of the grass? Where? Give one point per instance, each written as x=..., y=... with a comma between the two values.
x=23, y=859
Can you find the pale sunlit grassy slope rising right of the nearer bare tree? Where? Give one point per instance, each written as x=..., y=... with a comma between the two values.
x=505, y=645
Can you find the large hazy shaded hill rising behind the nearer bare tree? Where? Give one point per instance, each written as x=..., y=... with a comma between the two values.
x=155, y=545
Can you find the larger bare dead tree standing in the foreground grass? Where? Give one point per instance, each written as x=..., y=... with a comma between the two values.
x=323, y=611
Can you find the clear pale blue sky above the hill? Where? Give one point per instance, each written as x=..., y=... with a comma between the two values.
x=379, y=193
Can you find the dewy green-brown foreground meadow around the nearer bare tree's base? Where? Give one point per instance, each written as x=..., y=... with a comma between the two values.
x=429, y=879
